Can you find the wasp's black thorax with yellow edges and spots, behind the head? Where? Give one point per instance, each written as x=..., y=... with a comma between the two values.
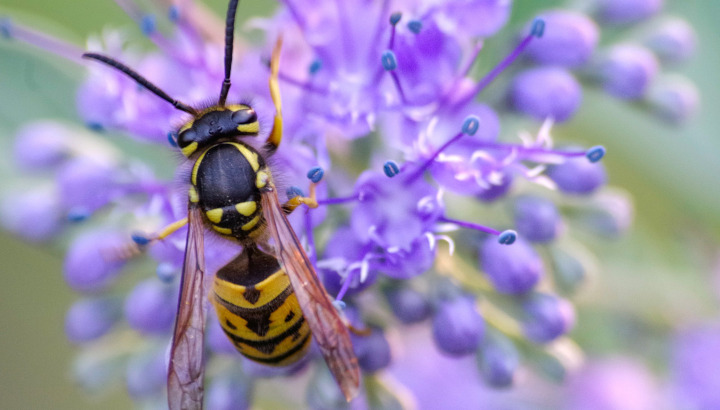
x=224, y=177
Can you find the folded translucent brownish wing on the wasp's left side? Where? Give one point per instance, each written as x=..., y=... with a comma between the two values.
x=186, y=370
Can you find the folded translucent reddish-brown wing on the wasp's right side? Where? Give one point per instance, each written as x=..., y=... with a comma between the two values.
x=327, y=327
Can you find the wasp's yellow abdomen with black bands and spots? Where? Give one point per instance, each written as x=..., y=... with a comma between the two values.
x=262, y=319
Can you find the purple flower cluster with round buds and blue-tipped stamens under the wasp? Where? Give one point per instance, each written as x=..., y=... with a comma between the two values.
x=384, y=98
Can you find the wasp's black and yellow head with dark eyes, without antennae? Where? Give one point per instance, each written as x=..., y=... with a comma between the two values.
x=217, y=124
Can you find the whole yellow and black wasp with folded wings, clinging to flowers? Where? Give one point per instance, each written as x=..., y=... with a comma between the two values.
x=269, y=299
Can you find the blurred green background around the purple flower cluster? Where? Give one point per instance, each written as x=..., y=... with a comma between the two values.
x=658, y=276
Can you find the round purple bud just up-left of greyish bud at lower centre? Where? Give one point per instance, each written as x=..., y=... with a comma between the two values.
x=458, y=327
